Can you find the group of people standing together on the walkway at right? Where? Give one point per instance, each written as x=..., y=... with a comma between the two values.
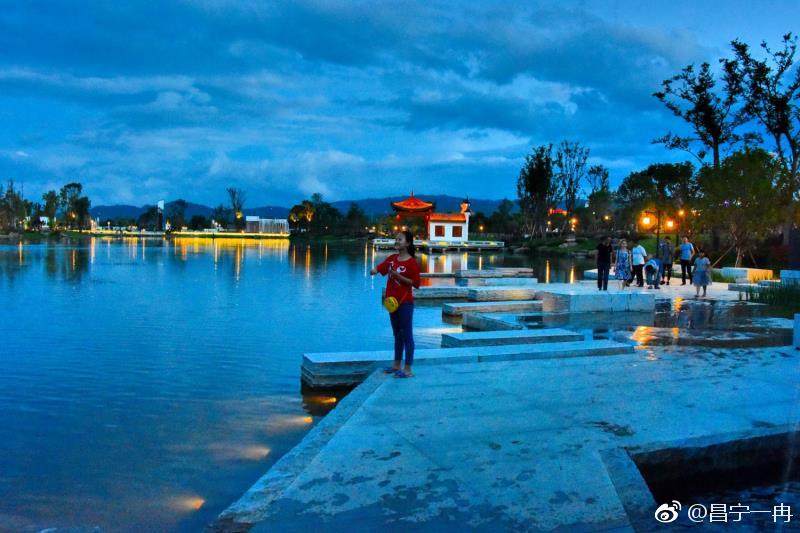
x=636, y=265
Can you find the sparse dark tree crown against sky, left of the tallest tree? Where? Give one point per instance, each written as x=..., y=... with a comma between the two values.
x=712, y=117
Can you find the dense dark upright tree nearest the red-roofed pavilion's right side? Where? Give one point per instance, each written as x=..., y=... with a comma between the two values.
x=537, y=189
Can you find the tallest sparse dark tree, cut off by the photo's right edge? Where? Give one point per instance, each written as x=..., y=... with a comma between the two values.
x=772, y=97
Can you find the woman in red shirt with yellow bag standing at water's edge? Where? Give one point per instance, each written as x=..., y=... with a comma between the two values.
x=403, y=272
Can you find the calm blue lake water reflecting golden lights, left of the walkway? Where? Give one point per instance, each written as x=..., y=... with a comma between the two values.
x=146, y=384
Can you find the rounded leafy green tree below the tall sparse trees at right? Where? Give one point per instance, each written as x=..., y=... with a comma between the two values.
x=741, y=196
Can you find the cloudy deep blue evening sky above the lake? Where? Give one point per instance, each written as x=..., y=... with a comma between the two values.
x=141, y=101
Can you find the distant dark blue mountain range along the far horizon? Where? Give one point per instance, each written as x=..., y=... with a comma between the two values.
x=371, y=206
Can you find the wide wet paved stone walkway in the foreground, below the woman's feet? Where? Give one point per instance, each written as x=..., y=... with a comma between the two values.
x=513, y=446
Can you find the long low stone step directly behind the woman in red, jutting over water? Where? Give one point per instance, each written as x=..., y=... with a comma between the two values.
x=343, y=369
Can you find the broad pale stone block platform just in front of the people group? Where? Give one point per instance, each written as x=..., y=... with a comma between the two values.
x=576, y=298
